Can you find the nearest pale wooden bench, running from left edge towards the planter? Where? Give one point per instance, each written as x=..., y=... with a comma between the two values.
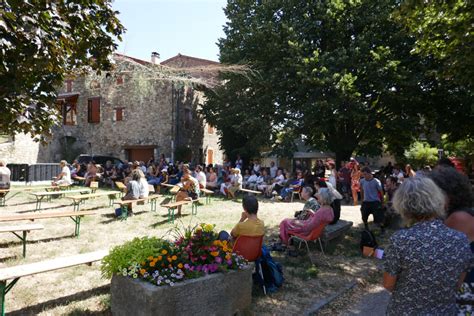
x=16, y=272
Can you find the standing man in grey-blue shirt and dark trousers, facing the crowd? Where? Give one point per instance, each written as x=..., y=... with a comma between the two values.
x=371, y=193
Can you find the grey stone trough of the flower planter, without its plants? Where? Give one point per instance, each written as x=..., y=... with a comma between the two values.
x=214, y=294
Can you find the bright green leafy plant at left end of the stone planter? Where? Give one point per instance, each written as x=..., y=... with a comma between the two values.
x=131, y=252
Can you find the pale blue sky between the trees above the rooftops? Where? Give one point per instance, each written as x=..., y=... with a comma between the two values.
x=169, y=27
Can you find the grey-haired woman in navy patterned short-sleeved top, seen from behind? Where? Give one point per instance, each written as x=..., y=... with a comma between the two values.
x=425, y=263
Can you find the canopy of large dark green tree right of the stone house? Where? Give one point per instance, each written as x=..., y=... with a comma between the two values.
x=339, y=74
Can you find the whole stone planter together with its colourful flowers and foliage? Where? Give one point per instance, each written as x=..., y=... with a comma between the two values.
x=153, y=276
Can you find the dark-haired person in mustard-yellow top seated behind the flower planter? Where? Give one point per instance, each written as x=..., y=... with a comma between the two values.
x=249, y=223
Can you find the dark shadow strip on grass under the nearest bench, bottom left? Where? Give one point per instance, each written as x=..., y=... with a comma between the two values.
x=64, y=301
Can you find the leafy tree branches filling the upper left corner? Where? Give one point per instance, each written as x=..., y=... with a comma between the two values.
x=40, y=43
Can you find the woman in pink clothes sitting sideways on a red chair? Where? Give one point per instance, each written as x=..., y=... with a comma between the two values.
x=323, y=216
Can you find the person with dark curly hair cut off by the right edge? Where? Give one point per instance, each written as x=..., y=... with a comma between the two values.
x=460, y=216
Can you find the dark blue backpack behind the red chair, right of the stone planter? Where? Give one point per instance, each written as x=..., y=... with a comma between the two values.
x=271, y=270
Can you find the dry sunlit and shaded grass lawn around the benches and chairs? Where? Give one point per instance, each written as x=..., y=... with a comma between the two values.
x=81, y=290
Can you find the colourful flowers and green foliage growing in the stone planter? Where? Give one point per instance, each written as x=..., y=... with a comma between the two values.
x=195, y=252
